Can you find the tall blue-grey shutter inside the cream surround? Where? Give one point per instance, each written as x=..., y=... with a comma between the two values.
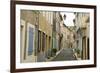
x=30, y=41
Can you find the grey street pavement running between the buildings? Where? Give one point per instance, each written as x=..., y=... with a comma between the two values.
x=65, y=54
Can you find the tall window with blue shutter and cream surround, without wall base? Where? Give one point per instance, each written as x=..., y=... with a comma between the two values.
x=30, y=48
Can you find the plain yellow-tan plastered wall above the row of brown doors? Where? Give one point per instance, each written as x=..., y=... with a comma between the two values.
x=45, y=27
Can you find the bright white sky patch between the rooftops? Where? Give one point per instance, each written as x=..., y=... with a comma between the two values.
x=69, y=18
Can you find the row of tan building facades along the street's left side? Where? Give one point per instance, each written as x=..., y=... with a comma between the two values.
x=40, y=33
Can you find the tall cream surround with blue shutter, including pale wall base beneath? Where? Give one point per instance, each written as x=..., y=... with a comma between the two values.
x=30, y=43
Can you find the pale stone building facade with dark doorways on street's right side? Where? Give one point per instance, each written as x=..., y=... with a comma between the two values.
x=82, y=21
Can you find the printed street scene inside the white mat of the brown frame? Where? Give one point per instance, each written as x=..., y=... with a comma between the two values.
x=52, y=35
